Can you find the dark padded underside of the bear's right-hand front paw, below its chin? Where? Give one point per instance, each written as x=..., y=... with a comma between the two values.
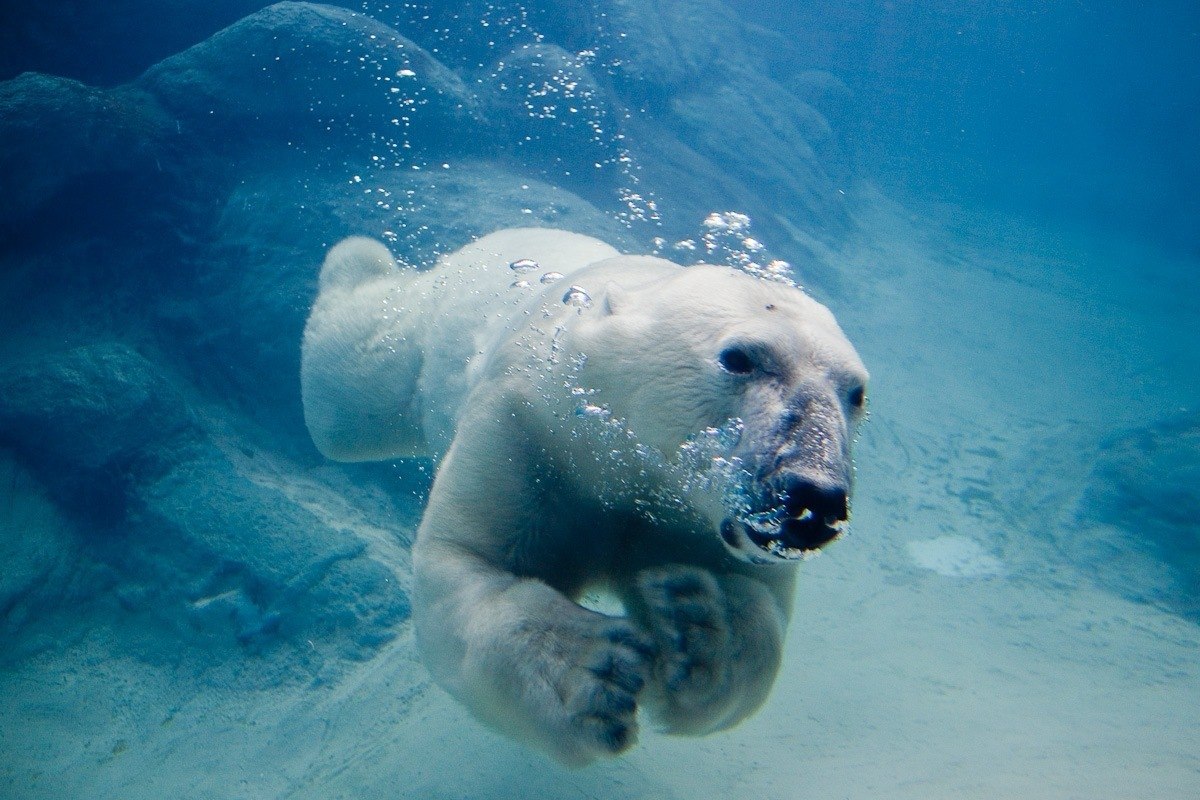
x=688, y=615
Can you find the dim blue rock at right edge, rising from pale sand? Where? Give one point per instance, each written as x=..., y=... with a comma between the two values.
x=1138, y=516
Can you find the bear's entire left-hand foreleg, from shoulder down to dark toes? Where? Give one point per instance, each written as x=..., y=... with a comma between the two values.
x=518, y=652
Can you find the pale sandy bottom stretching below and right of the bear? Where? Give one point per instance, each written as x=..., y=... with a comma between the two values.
x=947, y=649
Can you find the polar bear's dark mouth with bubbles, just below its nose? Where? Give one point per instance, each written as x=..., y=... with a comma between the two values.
x=779, y=537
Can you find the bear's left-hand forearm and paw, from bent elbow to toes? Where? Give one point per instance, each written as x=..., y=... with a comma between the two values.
x=527, y=660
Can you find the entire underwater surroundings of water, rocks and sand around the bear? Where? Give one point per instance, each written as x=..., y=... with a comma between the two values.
x=998, y=201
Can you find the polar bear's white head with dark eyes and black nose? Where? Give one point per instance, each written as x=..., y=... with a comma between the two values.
x=699, y=347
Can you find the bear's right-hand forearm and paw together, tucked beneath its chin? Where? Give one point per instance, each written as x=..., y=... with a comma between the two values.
x=721, y=643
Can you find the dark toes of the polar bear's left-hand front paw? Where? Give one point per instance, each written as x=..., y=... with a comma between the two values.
x=601, y=693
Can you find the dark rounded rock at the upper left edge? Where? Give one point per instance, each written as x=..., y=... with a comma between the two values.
x=53, y=130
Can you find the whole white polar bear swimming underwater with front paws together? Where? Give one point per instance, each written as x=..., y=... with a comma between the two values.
x=677, y=438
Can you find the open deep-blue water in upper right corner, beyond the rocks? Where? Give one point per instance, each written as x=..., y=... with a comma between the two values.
x=1075, y=113
